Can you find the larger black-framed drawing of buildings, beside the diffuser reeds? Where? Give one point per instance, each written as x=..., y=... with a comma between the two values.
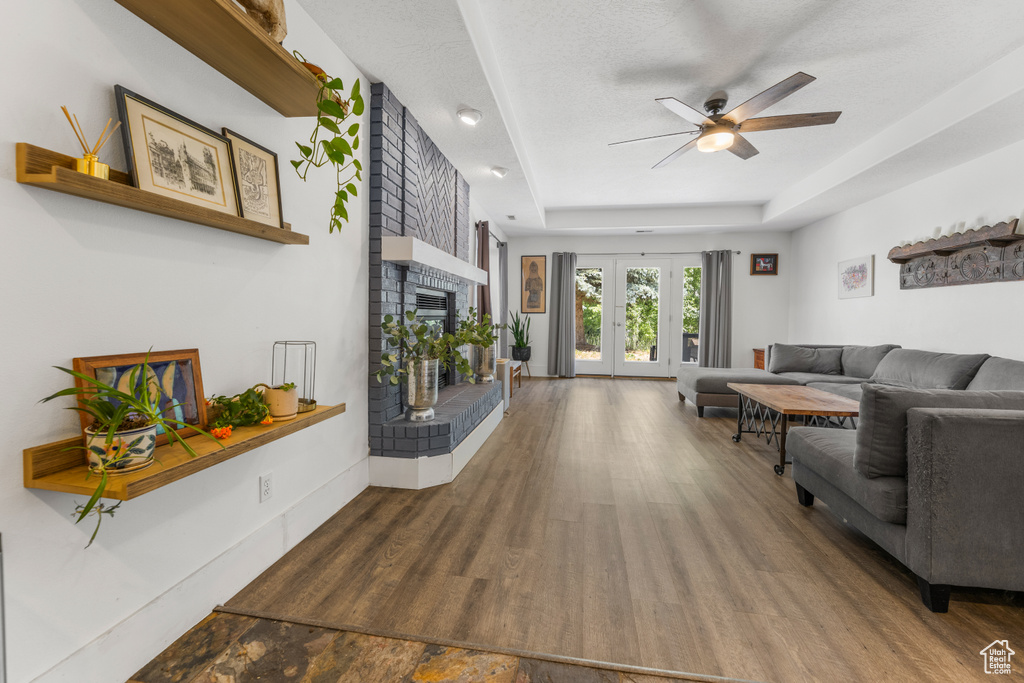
x=172, y=156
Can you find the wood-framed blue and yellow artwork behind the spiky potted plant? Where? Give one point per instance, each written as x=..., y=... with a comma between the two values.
x=177, y=374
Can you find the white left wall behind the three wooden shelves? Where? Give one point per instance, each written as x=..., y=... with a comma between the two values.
x=82, y=279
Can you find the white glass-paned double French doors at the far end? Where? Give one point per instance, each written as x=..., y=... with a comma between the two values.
x=624, y=320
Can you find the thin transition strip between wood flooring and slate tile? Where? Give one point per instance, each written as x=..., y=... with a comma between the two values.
x=448, y=643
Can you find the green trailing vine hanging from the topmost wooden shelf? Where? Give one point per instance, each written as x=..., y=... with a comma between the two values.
x=332, y=141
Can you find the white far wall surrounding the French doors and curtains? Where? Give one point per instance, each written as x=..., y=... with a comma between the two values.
x=760, y=304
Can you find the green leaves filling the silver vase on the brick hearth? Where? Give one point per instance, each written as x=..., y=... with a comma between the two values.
x=415, y=339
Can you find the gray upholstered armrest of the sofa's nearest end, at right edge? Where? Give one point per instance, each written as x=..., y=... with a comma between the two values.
x=966, y=497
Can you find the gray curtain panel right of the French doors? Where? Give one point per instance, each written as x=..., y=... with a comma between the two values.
x=716, y=310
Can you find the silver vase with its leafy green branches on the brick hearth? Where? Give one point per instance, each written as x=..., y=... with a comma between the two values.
x=421, y=349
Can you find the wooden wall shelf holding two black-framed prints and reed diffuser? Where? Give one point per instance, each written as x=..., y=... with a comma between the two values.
x=53, y=170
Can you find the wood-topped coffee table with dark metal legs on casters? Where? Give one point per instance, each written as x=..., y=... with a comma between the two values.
x=766, y=409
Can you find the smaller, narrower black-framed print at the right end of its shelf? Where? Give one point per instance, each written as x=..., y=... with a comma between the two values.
x=258, y=179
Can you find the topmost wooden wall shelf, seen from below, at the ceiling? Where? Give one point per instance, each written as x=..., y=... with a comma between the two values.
x=220, y=33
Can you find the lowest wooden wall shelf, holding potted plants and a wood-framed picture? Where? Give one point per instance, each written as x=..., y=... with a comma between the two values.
x=55, y=467
